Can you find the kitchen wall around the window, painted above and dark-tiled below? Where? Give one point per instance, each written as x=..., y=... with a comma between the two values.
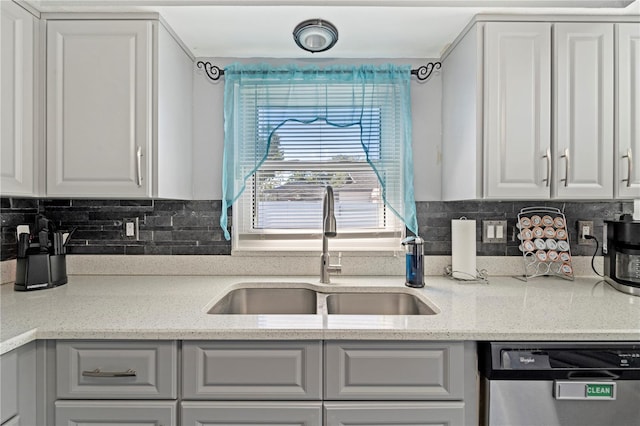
x=191, y=227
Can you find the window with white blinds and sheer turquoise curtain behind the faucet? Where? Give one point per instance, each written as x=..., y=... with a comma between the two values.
x=287, y=139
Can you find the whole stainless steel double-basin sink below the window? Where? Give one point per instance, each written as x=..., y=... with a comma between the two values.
x=307, y=299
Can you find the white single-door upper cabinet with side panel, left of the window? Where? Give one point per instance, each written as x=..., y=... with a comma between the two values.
x=110, y=126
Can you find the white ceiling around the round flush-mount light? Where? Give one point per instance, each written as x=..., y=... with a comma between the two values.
x=367, y=29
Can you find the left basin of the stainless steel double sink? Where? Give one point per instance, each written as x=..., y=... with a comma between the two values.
x=257, y=301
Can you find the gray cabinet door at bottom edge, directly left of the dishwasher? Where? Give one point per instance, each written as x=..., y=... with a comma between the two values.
x=394, y=413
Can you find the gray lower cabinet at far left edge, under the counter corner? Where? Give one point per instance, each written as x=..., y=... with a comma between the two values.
x=18, y=386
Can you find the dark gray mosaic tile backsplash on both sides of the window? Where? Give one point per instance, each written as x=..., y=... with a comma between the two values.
x=191, y=227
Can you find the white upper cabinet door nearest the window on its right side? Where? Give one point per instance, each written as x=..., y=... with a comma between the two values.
x=517, y=135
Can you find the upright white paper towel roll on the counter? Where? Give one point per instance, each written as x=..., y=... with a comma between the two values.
x=463, y=249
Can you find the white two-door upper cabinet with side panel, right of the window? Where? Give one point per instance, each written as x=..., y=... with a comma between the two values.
x=528, y=112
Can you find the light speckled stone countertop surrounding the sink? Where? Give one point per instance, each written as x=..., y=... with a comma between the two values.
x=174, y=307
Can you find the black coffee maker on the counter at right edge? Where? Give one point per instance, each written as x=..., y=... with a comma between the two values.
x=622, y=254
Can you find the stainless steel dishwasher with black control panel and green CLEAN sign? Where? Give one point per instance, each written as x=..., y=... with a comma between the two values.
x=546, y=384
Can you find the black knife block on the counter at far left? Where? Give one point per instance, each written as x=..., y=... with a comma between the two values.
x=41, y=261
